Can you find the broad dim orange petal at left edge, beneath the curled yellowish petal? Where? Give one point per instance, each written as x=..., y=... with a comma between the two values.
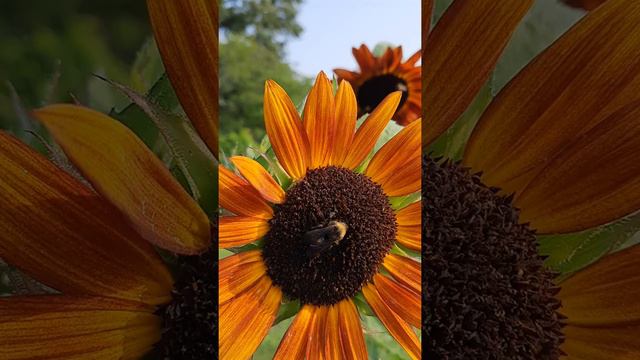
x=58, y=231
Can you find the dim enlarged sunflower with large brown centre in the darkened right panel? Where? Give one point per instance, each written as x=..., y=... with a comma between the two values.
x=555, y=152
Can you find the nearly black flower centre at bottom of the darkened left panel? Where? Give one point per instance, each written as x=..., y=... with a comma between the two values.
x=190, y=321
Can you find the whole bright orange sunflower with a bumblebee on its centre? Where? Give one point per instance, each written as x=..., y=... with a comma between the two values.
x=328, y=236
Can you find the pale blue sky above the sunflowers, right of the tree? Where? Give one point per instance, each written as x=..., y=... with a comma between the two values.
x=332, y=27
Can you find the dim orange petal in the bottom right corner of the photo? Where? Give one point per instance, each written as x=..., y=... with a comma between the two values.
x=601, y=303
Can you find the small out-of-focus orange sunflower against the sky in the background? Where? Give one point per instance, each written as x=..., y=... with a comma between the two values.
x=380, y=76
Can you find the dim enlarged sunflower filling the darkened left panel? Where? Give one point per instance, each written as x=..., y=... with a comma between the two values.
x=91, y=239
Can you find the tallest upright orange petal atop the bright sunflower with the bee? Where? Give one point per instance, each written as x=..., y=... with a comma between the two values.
x=320, y=122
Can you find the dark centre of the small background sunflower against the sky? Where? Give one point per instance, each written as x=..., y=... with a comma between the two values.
x=375, y=89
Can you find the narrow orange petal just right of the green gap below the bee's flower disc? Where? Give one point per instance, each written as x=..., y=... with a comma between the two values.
x=294, y=342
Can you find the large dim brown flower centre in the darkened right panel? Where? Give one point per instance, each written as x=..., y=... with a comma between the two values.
x=488, y=295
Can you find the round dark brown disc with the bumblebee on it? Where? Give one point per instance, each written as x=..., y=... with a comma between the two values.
x=329, y=237
